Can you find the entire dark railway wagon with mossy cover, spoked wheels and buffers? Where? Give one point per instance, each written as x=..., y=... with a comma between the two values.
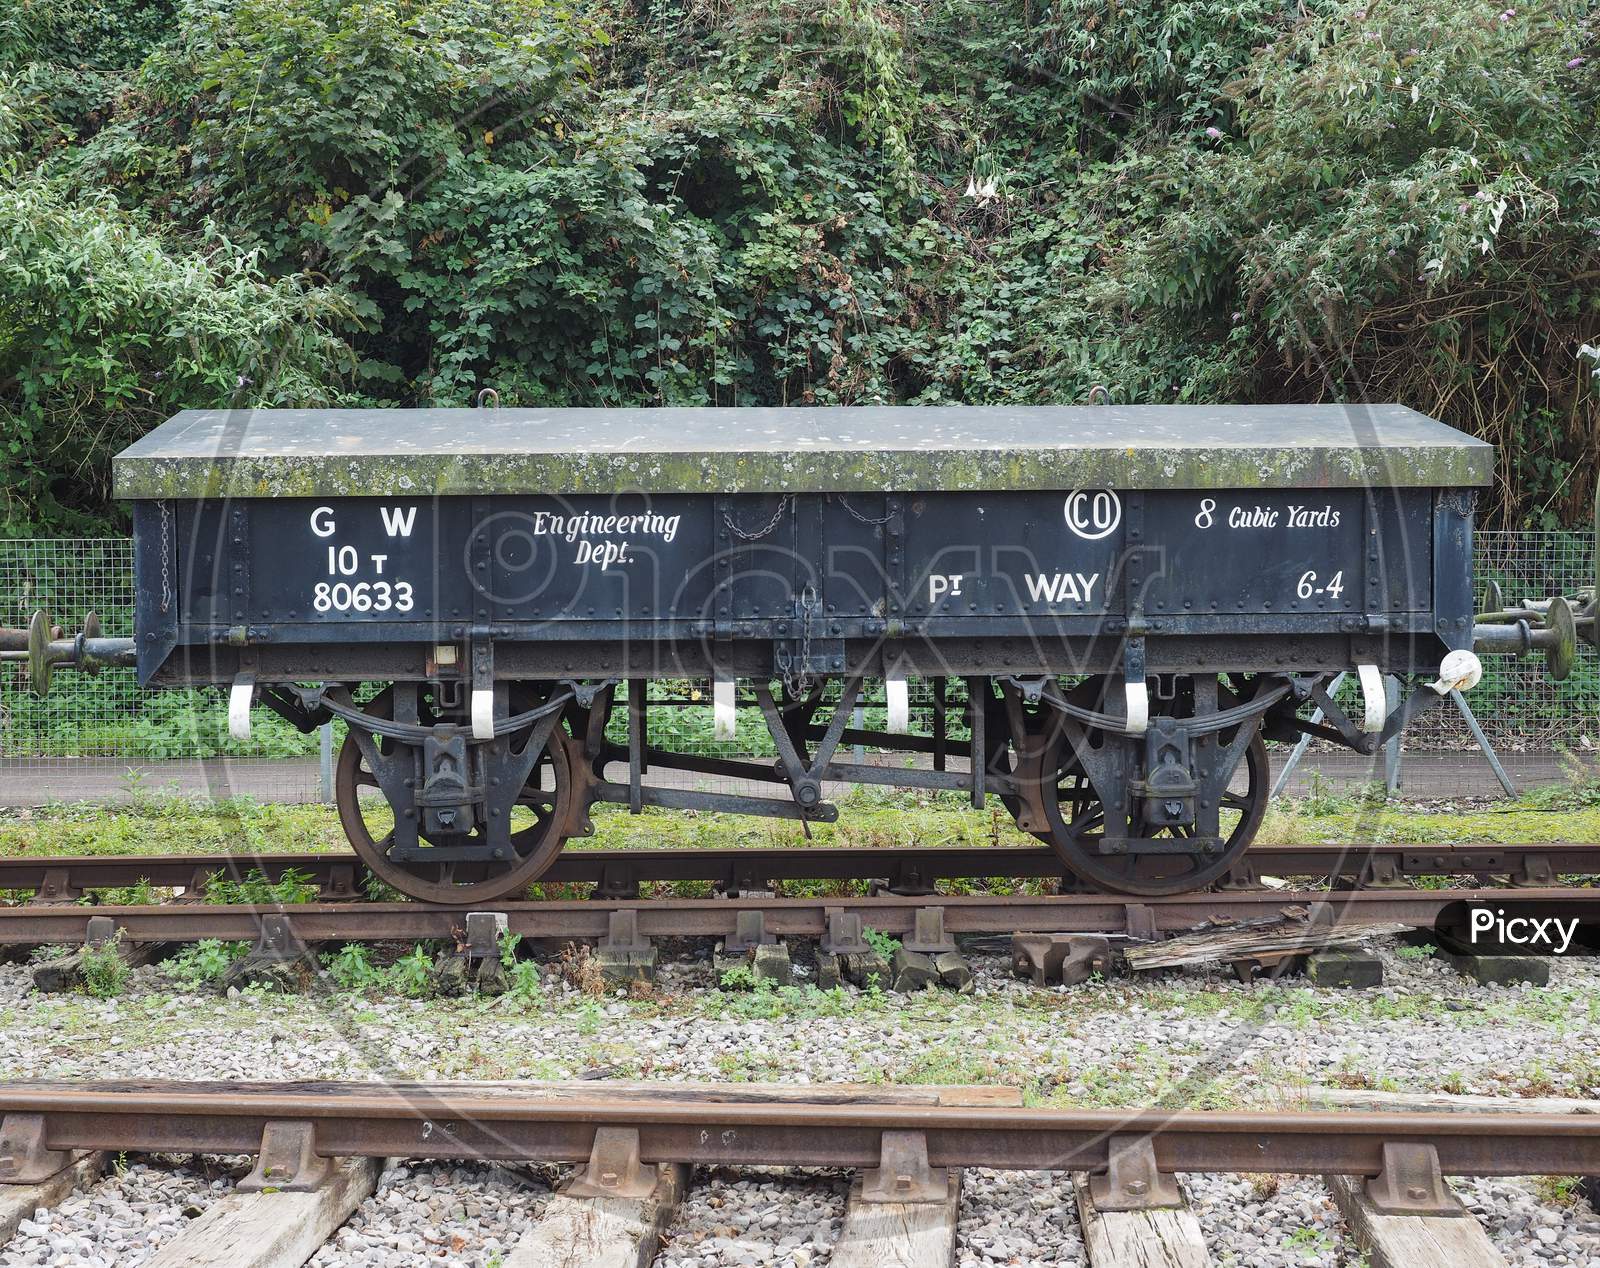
x=1116, y=609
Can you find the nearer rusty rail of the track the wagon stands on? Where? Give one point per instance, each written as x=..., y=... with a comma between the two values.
x=716, y=918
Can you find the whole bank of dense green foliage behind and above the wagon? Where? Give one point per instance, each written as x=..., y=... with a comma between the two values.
x=263, y=203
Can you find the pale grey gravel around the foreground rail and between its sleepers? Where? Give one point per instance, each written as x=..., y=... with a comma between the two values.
x=1198, y=1040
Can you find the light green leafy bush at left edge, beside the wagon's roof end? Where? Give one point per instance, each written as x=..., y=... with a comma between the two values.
x=106, y=329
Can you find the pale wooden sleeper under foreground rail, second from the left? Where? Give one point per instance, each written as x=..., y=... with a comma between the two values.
x=271, y=1230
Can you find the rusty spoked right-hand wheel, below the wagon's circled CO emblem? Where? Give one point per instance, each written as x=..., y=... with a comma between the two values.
x=1078, y=821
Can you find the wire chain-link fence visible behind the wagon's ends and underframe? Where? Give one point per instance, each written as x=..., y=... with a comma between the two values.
x=105, y=737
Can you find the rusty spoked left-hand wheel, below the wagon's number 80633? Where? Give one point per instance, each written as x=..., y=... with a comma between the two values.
x=538, y=827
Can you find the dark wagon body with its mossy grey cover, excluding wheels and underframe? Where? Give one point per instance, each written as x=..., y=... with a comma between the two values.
x=932, y=542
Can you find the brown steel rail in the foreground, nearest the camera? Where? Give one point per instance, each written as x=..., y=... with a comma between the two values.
x=460, y=1123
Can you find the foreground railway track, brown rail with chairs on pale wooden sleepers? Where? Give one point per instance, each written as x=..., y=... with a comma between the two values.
x=636, y=1147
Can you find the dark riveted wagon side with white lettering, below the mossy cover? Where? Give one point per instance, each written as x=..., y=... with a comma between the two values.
x=766, y=579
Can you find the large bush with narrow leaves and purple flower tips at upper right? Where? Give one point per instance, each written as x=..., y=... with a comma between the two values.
x=1409, y=211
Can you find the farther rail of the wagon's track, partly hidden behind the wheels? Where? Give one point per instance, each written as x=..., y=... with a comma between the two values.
x=743, y=870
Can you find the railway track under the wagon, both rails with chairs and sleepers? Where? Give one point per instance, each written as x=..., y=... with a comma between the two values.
x=1055, y=937
